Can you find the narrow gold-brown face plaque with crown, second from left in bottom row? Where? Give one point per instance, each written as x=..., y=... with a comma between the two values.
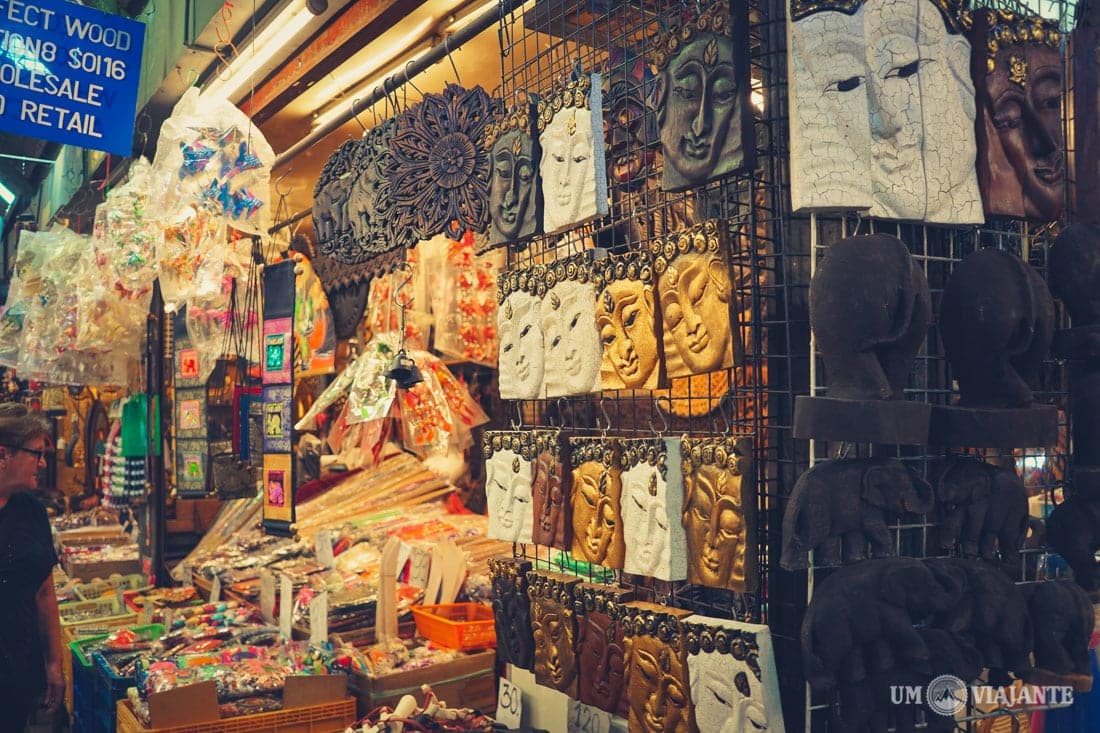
x=554, y=626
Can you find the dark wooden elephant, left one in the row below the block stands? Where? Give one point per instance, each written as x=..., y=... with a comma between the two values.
x=850, y=501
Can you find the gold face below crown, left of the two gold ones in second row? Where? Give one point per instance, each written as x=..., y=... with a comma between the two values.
x=628, y=322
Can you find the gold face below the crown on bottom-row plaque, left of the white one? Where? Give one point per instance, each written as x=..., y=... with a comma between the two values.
x=658, y=695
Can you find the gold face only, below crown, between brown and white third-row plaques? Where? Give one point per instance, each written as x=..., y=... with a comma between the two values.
x=598, y=524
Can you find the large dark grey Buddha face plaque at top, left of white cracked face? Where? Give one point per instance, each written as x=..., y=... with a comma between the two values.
x=702, y=97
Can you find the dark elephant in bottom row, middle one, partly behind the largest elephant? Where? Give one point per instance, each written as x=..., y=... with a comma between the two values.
x=992, y=612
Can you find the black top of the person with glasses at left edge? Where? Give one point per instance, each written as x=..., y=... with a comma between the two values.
x=27, y=560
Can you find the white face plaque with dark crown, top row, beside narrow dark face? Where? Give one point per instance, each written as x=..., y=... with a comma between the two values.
x=575, y=178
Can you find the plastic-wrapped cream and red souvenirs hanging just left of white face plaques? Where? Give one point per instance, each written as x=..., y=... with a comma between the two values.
x=463, y=291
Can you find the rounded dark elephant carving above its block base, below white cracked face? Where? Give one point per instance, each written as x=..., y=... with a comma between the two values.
x=870, y=309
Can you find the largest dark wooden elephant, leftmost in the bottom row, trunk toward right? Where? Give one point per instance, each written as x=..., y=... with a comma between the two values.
x=868, y=611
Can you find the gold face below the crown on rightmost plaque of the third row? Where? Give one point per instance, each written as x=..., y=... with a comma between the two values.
x=716, y=524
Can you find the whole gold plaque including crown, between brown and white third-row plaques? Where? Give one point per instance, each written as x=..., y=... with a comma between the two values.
x=598, y=524
